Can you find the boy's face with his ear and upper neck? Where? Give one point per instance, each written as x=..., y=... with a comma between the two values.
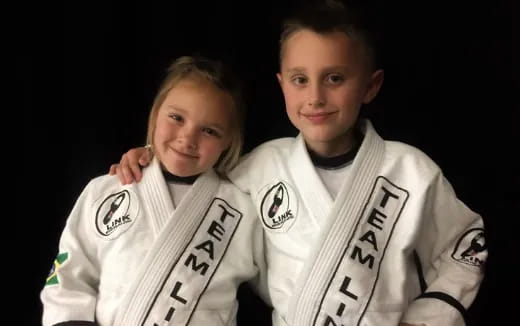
x=325, y=79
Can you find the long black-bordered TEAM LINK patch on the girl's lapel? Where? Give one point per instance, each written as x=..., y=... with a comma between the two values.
x=189, y=278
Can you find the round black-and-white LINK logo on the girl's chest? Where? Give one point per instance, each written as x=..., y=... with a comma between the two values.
x=116, y=213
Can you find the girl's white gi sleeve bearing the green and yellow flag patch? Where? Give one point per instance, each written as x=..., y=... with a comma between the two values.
x=70, y=291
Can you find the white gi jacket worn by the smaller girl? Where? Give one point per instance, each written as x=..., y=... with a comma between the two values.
x=128, y=257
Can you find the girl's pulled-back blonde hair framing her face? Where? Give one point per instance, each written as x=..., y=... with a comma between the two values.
x=220, y=76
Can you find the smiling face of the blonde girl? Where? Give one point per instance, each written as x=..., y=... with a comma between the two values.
x=192, y=127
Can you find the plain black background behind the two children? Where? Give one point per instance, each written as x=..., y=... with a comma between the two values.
x=88, y=72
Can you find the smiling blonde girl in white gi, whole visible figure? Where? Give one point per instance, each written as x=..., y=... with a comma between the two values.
x=173, y=248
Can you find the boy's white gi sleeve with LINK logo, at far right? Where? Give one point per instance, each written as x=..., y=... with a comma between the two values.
x=451, y=252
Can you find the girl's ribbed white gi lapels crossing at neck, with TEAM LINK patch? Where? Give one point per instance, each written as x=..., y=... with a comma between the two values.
x=185, y=254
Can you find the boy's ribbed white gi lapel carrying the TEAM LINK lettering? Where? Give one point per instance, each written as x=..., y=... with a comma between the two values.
x=326, y=293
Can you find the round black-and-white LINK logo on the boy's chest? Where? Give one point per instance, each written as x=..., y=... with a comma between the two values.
x=278, y=208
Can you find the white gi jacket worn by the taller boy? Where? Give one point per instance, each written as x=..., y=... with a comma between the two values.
x=395, y=245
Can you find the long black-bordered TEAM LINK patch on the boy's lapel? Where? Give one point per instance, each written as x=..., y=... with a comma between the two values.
x=353, y=282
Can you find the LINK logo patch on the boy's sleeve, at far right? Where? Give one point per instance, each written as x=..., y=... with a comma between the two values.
x=471, y=248
